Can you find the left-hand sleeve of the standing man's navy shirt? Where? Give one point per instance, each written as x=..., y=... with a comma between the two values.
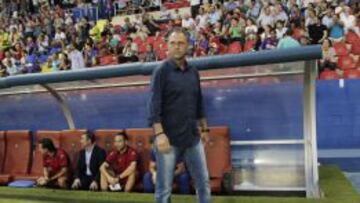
x=155, y=101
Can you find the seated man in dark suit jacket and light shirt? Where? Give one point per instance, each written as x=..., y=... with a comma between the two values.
x=91, y=157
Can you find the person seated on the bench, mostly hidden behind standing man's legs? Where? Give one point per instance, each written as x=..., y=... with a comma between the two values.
x=182, y=178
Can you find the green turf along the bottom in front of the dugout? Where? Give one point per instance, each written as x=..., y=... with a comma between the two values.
x=334, y=185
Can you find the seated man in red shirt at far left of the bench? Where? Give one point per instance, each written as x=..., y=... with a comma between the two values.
x=56, y=165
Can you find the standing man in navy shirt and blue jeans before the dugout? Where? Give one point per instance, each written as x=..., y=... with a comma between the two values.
x=176, y=109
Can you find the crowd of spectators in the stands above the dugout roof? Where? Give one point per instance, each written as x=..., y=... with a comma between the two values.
x=45, y=36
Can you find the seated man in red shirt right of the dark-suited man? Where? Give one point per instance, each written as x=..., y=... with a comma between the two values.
x=120, y=166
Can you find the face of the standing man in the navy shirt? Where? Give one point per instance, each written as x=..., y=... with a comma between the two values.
x=178, y=45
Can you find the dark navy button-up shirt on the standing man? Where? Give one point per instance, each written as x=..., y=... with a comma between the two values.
x=176, y=102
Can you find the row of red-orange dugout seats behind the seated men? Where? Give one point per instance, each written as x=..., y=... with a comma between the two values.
x=19, y=162
